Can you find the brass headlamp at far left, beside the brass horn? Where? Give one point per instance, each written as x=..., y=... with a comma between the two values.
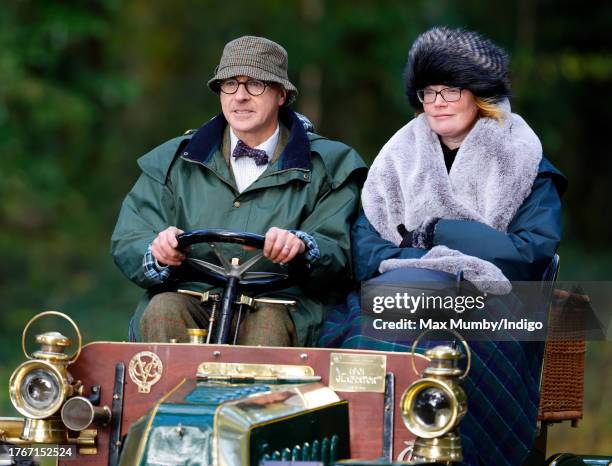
x=39, y=387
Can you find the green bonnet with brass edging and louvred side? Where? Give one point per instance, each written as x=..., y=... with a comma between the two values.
x=239, y=424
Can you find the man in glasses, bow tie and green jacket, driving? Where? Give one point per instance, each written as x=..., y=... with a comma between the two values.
x=253, y=168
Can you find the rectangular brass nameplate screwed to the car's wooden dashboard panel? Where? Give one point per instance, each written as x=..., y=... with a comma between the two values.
x=357, y=372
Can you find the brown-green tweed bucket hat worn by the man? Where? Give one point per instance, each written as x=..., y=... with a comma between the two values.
x=257, y=58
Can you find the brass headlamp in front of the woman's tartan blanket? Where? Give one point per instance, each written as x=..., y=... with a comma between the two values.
x=433, y=406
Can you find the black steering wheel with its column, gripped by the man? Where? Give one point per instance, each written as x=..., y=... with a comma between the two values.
x=230, y=275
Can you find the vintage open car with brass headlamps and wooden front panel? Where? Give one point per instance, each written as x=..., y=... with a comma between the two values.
x=208, y=402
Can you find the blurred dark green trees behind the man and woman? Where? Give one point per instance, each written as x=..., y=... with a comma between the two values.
x=87, y=87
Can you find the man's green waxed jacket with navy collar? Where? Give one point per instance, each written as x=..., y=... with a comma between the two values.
x=313, y=186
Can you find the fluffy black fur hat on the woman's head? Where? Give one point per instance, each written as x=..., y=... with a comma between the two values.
x=459, y=58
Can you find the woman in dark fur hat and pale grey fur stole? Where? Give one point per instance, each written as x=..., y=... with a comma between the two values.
x=464, y=187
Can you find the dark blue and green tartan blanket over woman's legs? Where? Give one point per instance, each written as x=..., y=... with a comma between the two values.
x=502, y=387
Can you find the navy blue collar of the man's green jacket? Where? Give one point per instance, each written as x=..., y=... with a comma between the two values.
x=207, y=140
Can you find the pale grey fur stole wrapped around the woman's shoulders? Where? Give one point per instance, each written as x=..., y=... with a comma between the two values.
x=492, y=175
